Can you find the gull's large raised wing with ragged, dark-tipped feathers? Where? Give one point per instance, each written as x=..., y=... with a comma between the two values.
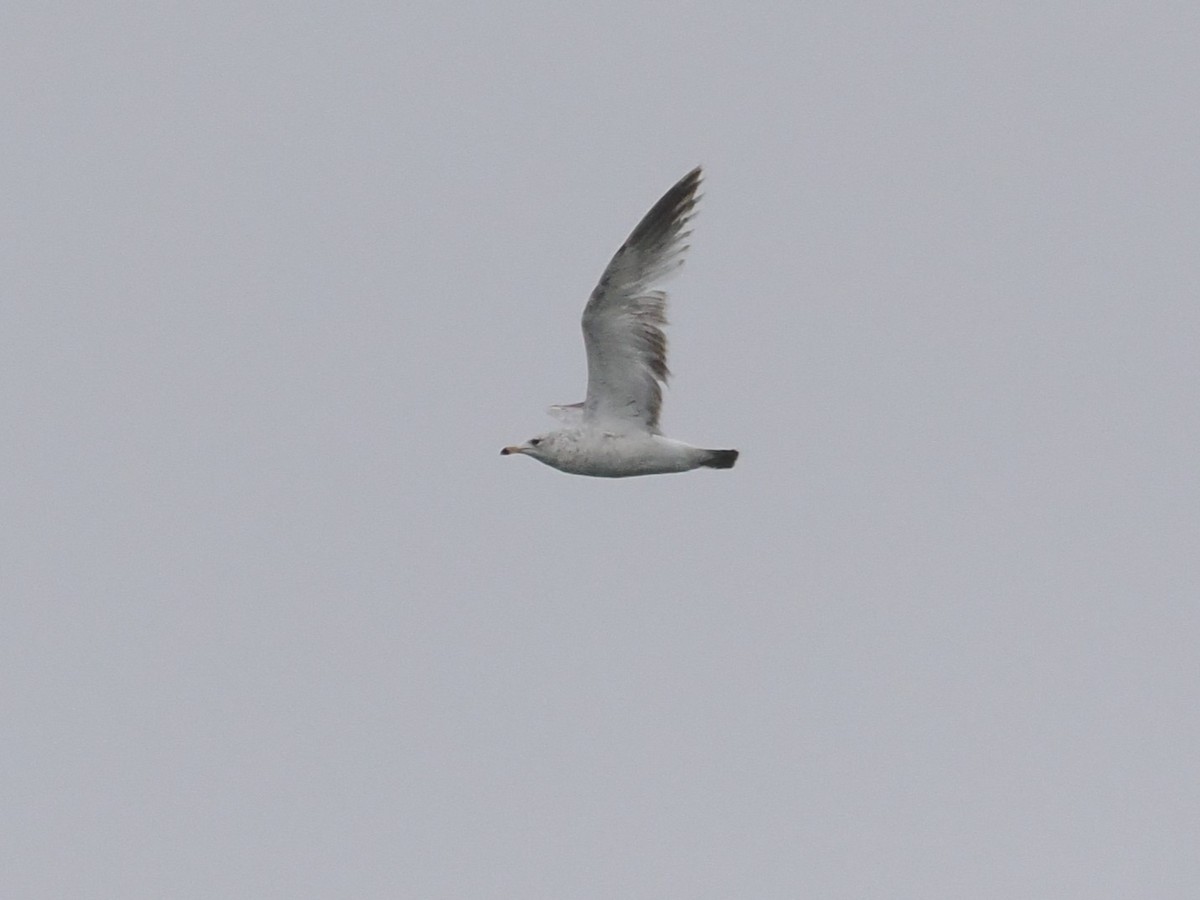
x=625, y=317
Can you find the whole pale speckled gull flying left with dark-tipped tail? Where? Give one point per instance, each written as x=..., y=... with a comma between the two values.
x=615, y=431
